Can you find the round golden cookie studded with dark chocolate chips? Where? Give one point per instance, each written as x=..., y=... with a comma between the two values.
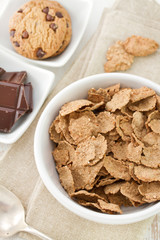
x=39, y=29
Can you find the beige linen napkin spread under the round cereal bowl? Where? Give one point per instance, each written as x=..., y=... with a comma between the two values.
x=17, y=168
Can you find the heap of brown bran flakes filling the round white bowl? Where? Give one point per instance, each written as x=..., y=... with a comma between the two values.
x=107, y=151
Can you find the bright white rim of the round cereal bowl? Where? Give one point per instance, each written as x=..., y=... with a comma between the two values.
x=66, y=201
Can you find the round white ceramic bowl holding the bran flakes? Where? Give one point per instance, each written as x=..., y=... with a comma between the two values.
x=43, y=147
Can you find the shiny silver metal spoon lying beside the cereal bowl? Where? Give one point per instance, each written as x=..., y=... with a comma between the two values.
x=12, y=216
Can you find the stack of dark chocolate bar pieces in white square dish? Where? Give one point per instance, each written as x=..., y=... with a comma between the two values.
x=15, y=98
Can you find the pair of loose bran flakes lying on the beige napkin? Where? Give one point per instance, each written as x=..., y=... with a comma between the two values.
x=120, y=55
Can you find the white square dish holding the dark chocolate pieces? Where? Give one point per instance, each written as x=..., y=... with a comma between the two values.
x=42, y=82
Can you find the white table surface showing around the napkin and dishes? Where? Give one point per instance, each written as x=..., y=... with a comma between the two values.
x=153, y=233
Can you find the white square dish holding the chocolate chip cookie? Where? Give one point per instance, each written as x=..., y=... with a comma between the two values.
x=79, y=12
